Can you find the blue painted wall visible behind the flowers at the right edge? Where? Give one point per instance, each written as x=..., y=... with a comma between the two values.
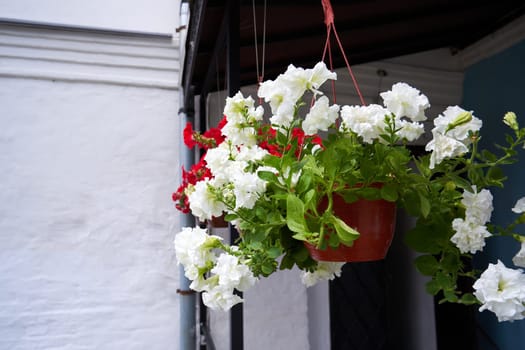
x=491, y=88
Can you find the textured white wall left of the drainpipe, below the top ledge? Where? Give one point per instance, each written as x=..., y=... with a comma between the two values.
x=87, y=167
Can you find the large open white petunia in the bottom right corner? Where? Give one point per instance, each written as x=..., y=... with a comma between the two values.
x=502, y=291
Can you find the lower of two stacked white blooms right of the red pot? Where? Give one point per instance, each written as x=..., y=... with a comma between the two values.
x=470, y=236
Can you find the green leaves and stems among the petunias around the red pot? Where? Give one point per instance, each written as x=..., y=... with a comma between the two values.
x=293, y=213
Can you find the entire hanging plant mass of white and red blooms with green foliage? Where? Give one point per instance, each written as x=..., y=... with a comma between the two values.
x=282, y=187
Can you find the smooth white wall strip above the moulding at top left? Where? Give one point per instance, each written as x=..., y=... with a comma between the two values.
x=153, y=16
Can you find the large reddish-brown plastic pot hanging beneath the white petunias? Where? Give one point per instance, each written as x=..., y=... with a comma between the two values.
x=373, y=219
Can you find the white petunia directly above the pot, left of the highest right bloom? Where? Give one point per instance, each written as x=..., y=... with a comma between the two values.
x=367, y=122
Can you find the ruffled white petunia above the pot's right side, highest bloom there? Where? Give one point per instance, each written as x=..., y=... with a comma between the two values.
x=406, y=101
